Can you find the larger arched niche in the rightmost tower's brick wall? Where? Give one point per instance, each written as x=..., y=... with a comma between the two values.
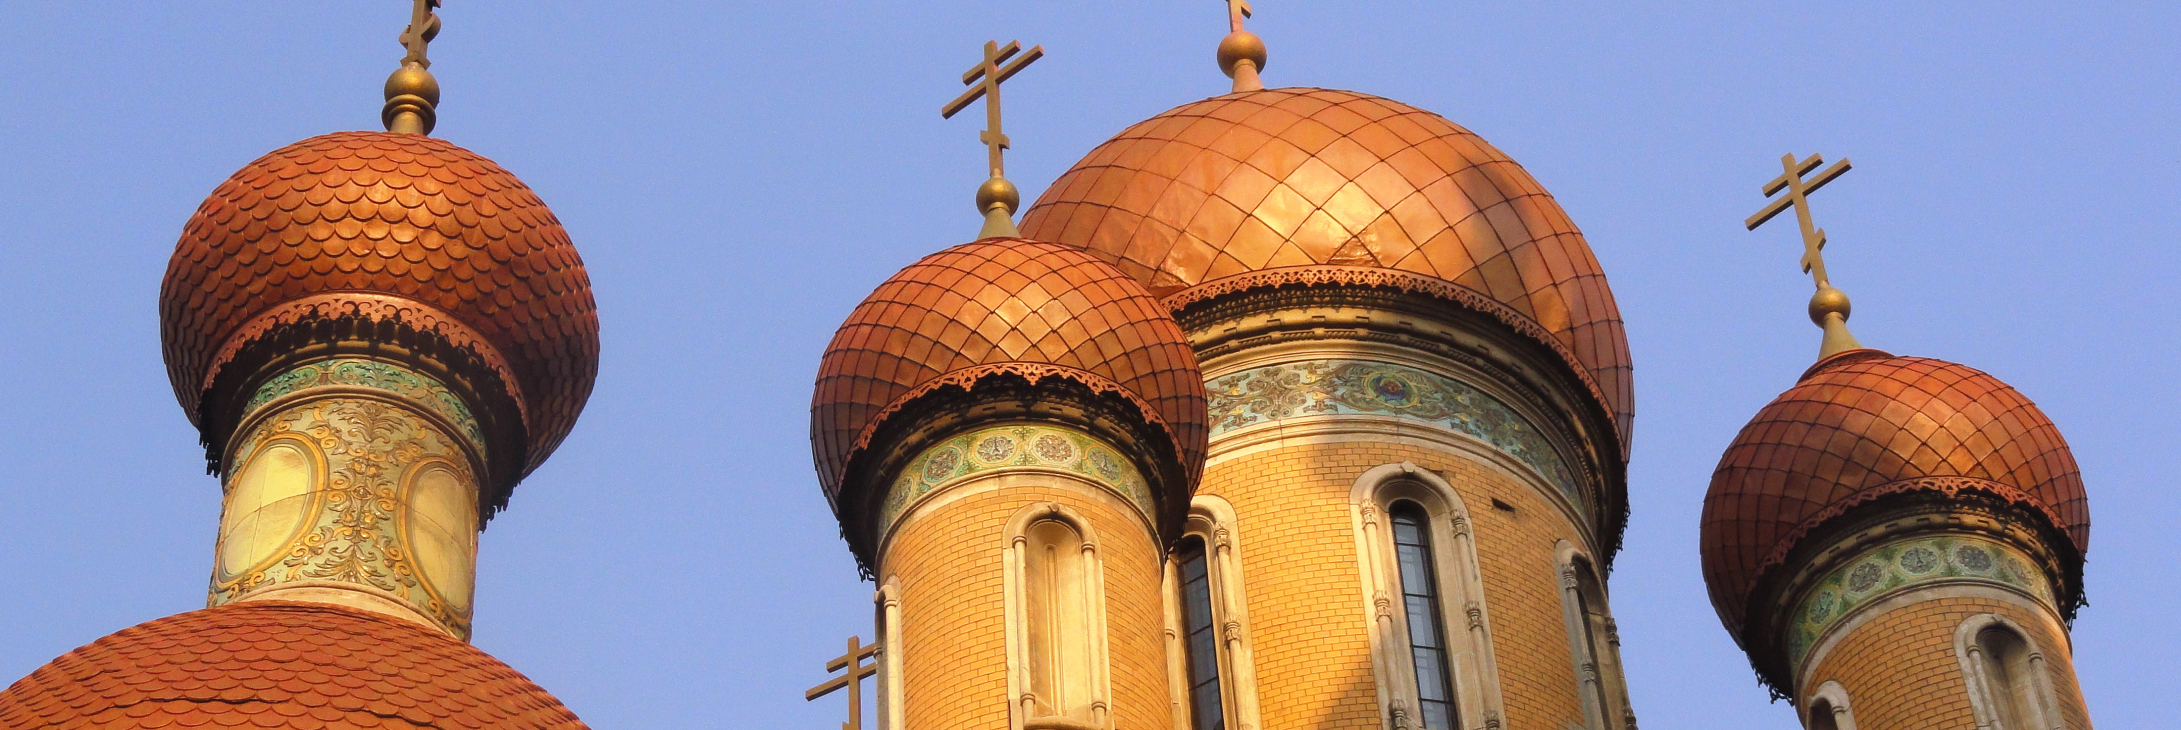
x=2010, y=688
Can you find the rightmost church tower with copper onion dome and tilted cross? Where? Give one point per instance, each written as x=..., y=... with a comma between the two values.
x=1899, y=542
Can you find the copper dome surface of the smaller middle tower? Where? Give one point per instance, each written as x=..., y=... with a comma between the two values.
x=1004, y=306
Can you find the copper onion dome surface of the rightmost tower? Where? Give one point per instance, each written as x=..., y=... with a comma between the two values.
x=1866, y=426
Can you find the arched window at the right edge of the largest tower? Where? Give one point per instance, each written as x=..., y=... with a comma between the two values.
x=1595, y=644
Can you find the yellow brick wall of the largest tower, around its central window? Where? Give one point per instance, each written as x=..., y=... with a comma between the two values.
x=1310, y=633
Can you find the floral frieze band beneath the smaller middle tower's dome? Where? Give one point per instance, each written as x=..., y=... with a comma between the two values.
x=1013, y=446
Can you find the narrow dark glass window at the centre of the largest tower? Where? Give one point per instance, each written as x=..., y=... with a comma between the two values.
x=1421, y=603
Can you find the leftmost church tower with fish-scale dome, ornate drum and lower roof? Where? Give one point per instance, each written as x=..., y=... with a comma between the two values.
x=378, y=337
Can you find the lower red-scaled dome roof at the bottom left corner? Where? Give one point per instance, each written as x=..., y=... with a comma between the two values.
x=280, y=666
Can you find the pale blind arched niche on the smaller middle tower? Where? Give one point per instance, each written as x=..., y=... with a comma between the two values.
x=1057, y=622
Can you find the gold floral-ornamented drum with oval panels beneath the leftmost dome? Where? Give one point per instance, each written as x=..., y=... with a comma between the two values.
x=361, y=465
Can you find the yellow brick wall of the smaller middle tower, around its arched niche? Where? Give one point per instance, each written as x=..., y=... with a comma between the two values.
x=954, y=637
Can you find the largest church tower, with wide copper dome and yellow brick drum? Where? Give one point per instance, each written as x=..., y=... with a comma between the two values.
x=1421, y=404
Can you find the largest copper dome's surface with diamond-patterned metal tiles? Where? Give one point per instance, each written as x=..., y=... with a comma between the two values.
x=1323, y=186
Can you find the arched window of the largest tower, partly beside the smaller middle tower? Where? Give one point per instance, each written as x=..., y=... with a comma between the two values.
x=1207, y=624
